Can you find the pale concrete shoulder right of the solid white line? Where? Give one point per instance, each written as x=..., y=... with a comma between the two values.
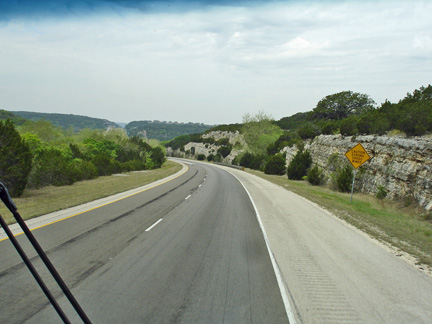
x=333, y=273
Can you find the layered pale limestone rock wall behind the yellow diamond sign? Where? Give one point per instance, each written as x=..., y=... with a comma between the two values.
x=403, y=166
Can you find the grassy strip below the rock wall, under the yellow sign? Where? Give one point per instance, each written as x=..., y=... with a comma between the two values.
x=406, y=228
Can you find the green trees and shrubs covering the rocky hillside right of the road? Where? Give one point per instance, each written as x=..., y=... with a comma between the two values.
x=347, y=113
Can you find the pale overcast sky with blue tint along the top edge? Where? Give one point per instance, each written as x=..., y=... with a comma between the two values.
x=208, y=61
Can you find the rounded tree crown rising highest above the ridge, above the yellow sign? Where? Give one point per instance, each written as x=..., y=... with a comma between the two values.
x=342, y=105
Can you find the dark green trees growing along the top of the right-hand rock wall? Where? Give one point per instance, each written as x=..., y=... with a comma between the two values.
x=351, y=113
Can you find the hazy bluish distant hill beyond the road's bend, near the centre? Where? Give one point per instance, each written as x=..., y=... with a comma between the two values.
x=163, y=131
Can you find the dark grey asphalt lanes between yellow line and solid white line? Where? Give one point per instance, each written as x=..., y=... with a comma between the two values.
x=187, y=251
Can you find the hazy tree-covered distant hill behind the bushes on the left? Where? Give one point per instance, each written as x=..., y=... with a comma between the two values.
x=68, y=120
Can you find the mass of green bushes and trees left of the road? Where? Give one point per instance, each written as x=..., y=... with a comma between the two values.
x=36, y=154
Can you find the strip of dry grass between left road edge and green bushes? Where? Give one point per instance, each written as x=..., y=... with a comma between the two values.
x=49, y=199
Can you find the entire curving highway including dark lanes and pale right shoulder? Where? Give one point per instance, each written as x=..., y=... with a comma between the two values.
x=195, y=249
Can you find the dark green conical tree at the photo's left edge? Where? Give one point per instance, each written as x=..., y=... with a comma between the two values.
x=15, y=159
